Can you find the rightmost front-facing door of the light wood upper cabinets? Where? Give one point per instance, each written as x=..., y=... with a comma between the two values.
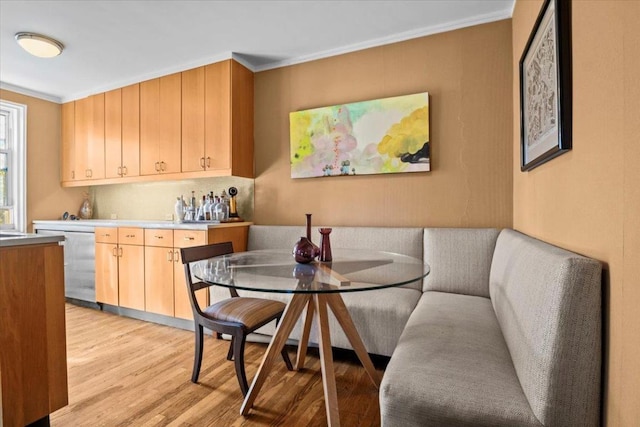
x=218, y=115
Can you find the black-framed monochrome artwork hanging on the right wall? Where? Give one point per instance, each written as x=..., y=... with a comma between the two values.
x=545, y=87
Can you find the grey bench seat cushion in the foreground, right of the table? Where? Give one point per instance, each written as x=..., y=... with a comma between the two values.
x=451, y=367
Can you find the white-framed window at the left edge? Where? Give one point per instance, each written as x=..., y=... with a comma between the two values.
x=13, y=149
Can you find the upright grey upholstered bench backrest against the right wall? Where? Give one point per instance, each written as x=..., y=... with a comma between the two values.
x=548, y=304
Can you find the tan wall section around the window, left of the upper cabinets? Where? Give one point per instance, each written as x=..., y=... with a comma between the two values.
x=46, y=199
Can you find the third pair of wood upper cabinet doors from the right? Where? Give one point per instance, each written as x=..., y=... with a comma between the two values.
x=122, y=132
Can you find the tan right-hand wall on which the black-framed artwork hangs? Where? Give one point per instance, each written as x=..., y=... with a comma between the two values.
x=588, y=200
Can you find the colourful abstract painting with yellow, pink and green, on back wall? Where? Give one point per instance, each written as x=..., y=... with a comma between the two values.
x=389, y=135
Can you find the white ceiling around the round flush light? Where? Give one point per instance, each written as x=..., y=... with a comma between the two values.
x=110, y=44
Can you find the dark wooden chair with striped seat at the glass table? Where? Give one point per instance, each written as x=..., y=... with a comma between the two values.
x=236, y=316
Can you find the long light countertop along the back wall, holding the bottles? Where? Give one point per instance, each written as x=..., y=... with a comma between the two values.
x=89, y=225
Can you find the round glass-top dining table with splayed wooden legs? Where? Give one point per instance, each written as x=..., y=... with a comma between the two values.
x=316, y=287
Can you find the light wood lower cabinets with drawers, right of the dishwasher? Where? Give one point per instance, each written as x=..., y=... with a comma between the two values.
x=142, y=269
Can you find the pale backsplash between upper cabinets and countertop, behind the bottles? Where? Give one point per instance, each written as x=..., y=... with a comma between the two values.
x=156, y=200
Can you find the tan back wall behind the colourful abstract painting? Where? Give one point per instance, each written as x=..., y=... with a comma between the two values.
x=468, y=76
